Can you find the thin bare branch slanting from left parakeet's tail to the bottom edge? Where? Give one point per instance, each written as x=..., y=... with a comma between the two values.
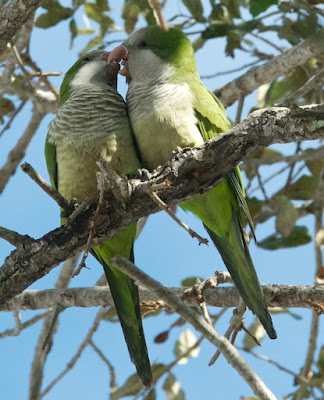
x=229, y=351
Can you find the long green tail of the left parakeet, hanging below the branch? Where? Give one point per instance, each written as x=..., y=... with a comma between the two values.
x=125, y=294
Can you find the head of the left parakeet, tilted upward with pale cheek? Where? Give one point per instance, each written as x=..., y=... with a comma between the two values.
x=90, y=70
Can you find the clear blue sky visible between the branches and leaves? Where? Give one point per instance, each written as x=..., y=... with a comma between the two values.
x=163, y=250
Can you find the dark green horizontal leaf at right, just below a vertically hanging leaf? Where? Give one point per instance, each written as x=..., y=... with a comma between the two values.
x=298, y=237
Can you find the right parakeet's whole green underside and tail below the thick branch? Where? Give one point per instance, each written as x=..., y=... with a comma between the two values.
x=219, y=211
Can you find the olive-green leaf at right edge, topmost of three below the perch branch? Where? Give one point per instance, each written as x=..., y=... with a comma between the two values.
x=303, y=189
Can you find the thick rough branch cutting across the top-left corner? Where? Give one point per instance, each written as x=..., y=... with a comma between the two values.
x=12, y=16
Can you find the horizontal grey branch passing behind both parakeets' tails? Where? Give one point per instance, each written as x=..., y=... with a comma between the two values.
x=276, y=296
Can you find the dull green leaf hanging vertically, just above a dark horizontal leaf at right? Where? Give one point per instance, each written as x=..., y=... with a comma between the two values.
x=286, y=216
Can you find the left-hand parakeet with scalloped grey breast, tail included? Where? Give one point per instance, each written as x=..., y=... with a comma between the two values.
x=92, y=124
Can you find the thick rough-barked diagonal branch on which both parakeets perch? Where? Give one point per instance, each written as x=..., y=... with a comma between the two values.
x=189, y=172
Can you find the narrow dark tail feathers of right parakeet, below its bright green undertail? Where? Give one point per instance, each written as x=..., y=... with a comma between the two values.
x=240, y=266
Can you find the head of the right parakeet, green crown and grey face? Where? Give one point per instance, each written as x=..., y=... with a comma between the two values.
x=152, y=52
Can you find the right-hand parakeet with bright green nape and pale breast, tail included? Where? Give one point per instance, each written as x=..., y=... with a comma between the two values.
x=169, y=107
